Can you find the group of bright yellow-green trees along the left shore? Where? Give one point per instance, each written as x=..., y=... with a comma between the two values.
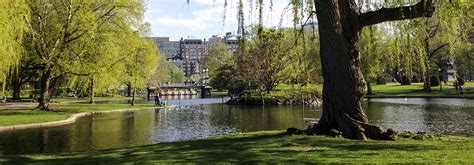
x=85, y=47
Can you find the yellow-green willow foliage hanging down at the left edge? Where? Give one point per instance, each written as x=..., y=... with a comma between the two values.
x=12, y=28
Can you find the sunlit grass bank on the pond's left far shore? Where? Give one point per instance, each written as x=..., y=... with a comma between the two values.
x=62, y=111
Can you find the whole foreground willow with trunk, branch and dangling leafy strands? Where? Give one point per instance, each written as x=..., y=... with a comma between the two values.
x=340, y=26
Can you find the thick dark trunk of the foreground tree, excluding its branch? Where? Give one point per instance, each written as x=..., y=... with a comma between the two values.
x=343, y=80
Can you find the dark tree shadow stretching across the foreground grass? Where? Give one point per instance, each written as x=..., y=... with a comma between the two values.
x=257, y=148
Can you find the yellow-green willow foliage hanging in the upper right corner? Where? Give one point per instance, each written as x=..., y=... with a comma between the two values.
x=434, y=35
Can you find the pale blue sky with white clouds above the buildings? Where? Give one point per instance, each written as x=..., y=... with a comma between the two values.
x=204, y=18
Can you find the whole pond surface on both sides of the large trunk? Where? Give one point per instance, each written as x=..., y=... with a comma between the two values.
x=198, y=118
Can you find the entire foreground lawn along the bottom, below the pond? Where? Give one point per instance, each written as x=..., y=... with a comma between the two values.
x=273, y=147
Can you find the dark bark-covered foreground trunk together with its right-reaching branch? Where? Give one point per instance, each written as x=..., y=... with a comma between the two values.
x=340, y=24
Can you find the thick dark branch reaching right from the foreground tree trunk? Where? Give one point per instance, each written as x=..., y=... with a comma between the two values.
x=424, y=8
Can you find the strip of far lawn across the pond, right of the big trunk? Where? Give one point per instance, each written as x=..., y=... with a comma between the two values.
x=416, y=90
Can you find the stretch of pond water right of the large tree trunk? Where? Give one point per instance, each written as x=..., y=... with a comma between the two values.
x=436, y=116
